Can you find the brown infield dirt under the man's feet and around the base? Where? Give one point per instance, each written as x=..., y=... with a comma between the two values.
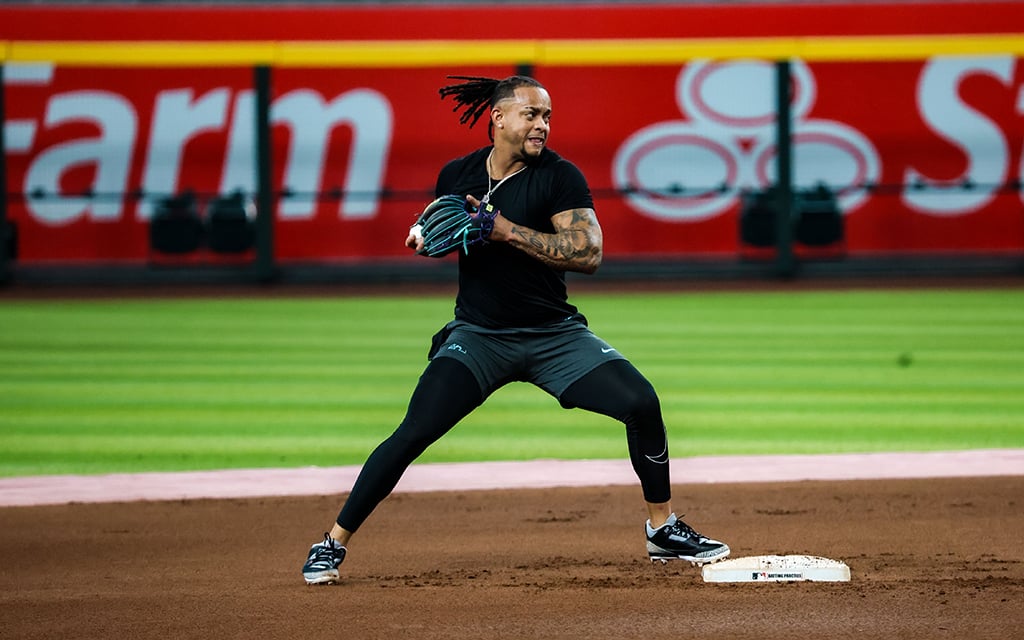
x=930, y=559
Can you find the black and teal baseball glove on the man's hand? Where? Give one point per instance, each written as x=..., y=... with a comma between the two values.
x=451, y=223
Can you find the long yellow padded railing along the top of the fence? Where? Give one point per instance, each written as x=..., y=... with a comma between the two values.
x=566, y=53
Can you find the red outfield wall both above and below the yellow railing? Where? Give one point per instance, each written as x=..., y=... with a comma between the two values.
x=952, y=127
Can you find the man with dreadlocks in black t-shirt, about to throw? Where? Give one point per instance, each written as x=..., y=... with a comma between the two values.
x=514, y=321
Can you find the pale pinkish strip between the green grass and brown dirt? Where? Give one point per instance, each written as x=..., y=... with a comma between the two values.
x=58, y=490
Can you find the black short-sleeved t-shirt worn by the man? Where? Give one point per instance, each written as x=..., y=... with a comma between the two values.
x=501, y=286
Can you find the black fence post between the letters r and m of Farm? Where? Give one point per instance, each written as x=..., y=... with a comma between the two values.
x=265, y=178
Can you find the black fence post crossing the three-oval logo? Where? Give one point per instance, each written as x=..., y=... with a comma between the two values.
x=785, y=261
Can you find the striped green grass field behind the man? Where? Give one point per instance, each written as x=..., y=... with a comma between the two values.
x=186, y=385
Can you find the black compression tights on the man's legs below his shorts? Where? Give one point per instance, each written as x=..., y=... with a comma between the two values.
x=616, y=390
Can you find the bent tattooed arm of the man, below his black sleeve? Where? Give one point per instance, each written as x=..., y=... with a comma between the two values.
x=576, y=245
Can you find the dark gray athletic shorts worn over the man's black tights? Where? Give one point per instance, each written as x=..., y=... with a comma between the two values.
x=551, y=358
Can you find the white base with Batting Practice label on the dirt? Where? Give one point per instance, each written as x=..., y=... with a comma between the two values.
x=777, y=570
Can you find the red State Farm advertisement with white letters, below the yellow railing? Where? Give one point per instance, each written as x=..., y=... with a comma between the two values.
x=923, y=157
